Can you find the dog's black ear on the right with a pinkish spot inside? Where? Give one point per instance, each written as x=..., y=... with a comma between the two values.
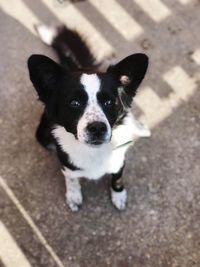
x=130, y=72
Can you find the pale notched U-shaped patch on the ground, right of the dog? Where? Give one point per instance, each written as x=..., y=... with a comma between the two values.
x=155, y=109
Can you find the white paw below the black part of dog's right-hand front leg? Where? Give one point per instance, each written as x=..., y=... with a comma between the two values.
x=119, y=199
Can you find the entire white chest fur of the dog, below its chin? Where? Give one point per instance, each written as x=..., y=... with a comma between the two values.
x=95, y=162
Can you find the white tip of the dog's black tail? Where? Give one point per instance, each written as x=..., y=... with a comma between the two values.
x=47, y=34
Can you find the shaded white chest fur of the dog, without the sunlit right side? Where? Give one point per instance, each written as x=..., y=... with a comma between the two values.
x=93, y=161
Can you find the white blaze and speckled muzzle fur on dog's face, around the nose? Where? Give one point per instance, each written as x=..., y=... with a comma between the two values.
x=93, y=111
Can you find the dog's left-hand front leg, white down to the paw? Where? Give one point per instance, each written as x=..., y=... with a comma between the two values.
x=73, y=193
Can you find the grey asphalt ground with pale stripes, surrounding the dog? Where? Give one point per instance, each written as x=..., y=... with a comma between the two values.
x=161, y=225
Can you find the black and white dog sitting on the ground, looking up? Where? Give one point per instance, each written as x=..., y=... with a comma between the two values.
x=87, y=113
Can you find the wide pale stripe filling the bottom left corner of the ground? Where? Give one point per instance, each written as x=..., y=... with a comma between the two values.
x=10, y=253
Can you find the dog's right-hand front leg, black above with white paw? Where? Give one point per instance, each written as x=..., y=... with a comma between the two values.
x=118, y=192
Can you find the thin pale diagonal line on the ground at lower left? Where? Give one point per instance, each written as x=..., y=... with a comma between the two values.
x=31, y=223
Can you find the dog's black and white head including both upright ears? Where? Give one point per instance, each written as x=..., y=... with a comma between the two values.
x=87, y=105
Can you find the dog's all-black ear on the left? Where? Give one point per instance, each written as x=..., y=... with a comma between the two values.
x=45, y=75
